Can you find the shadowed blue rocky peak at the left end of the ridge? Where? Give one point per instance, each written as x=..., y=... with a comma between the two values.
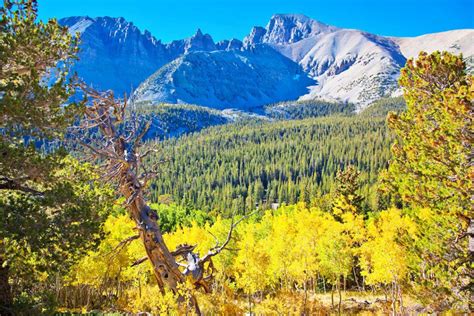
x=115, y=54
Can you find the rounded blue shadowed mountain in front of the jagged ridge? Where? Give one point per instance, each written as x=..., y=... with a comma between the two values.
x=226, y=79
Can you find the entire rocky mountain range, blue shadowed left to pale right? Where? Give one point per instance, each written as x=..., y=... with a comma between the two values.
x=292, y=57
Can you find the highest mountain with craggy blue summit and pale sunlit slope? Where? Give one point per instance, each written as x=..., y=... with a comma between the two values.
x=348, y=65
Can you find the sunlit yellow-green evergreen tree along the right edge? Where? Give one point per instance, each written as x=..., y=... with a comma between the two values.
x=432, y=170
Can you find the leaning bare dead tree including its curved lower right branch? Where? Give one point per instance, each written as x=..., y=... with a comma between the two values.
x=122, y=163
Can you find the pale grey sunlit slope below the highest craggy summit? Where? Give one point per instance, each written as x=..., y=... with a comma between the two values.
x=352, y=66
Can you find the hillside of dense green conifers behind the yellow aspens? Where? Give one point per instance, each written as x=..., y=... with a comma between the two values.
x=241, y=166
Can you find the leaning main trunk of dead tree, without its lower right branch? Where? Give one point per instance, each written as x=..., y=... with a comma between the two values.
x=123, y=163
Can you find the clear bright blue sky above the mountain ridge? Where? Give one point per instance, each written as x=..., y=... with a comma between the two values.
x=173, y=19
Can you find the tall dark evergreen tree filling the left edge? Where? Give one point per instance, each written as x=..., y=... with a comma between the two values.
x=51, y=212
